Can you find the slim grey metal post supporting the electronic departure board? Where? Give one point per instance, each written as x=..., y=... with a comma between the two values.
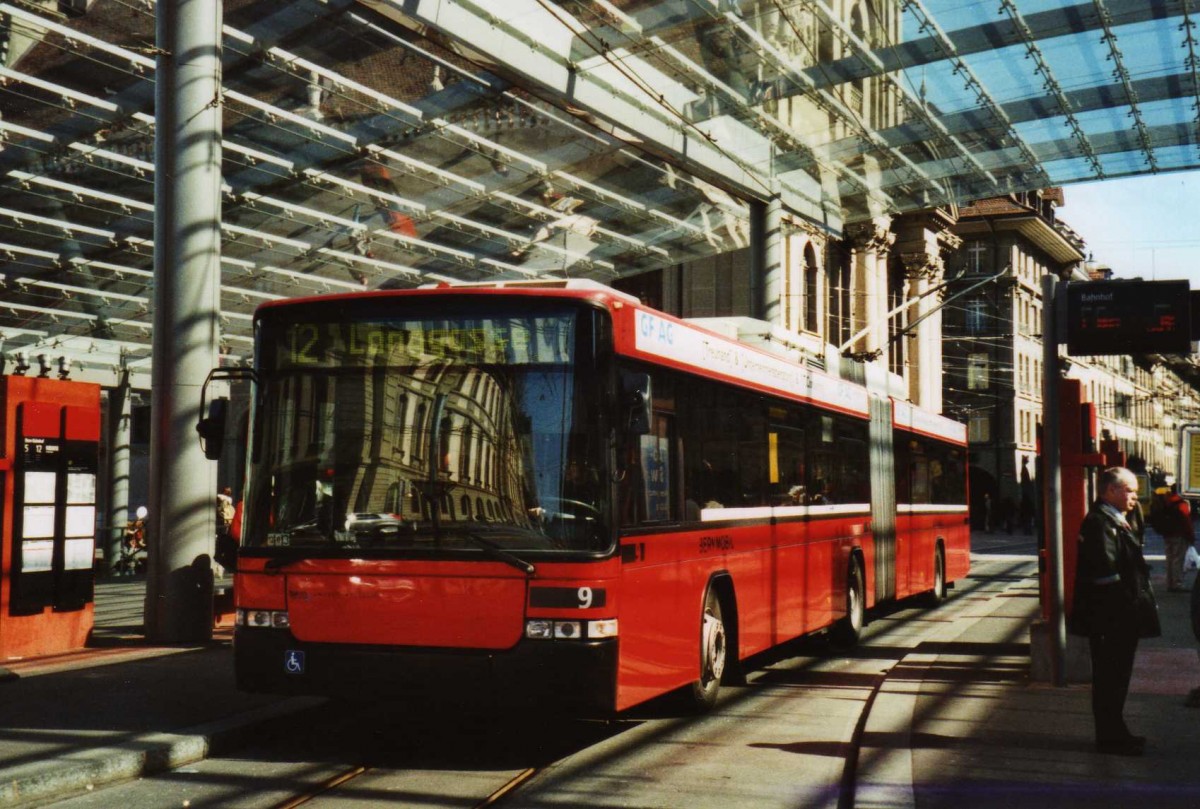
x=1052, y=451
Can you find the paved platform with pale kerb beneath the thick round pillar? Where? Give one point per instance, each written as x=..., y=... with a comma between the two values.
x=122, y=708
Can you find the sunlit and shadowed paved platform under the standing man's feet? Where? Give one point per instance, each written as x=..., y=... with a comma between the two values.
x=965, y=727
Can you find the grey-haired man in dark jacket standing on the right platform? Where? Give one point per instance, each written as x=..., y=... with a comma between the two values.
x=1114, y=607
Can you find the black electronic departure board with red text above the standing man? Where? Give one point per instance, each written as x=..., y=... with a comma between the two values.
x=1129, y=317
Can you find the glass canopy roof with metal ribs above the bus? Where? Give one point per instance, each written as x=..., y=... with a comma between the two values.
x=389, y=143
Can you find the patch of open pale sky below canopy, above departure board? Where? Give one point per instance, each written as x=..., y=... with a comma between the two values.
x=1148, y=226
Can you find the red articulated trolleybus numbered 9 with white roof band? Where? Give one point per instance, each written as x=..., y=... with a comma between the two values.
x=550, y=492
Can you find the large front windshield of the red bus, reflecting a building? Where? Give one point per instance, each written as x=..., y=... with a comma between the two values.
x=476, y=430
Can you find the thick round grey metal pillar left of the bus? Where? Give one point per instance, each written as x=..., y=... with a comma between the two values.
x=188, y=248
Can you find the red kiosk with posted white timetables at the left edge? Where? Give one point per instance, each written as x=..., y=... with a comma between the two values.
x=50, y=442
